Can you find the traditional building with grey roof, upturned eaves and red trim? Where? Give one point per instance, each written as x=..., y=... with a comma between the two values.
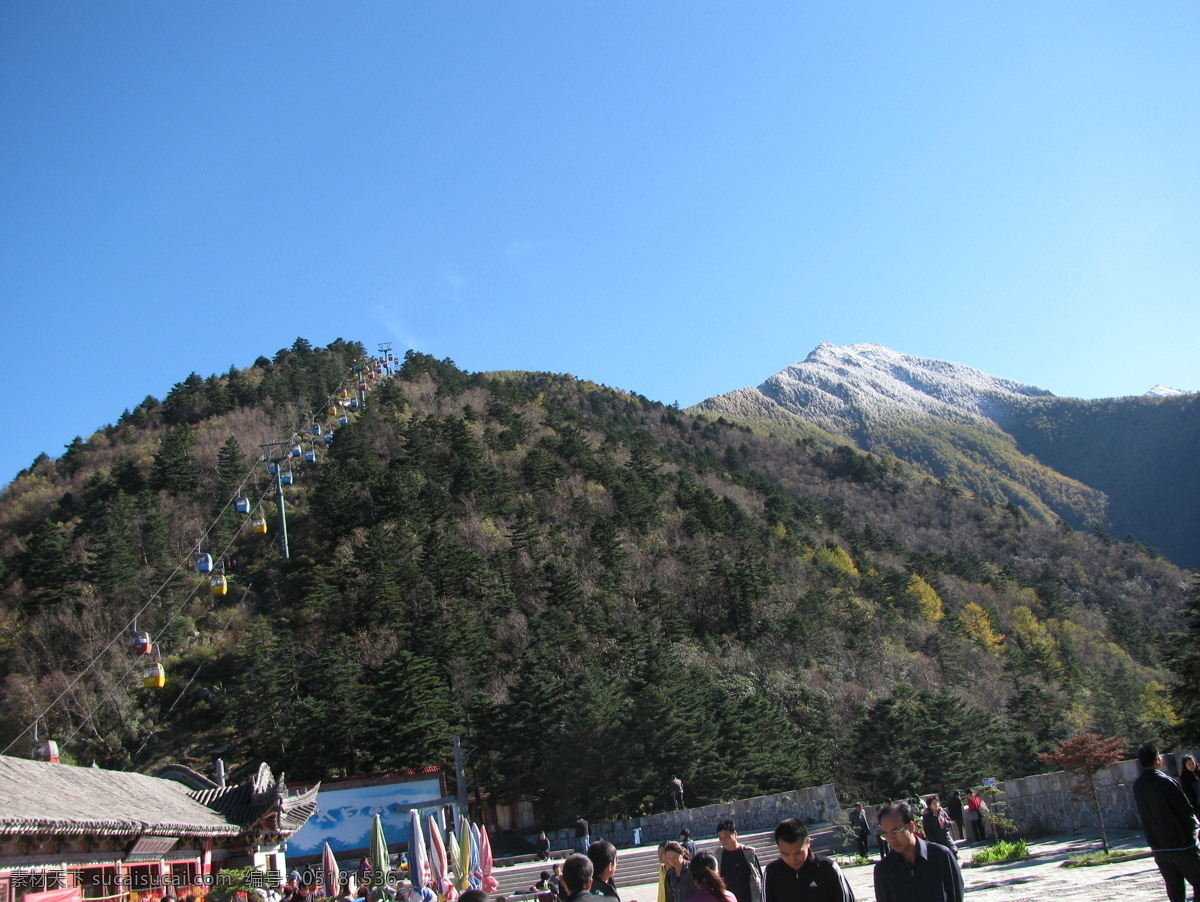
x=92, y=834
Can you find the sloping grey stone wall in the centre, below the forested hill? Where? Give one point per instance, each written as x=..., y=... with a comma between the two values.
x=813, y=805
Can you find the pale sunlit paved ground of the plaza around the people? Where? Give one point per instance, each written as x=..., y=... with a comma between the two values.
x=1040, y=879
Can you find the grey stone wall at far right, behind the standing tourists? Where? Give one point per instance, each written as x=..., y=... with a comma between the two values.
x=1042, y=804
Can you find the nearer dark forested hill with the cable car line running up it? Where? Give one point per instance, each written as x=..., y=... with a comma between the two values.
x=595, y=590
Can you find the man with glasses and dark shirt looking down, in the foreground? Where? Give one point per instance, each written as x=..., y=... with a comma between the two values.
x=914, y=870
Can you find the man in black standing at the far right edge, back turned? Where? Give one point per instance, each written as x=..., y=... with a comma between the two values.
x=1171, y=825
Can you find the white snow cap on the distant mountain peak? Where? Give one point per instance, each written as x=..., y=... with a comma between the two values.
x=841, y=386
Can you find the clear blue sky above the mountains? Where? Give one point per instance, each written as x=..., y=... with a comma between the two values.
x=677, y=199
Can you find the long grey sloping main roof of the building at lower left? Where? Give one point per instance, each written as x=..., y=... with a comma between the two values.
x=44, y=798
